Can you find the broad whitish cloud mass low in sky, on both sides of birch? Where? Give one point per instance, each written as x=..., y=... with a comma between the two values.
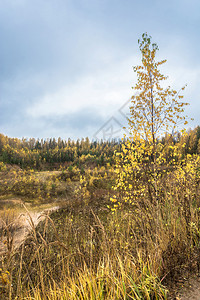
x=80, y=108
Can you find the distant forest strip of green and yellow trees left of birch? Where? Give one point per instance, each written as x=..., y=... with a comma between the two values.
x=49, y=154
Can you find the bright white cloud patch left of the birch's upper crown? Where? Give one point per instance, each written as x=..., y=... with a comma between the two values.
x=105, y=90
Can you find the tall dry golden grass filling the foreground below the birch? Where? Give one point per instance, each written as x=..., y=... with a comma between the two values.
x=87, y=252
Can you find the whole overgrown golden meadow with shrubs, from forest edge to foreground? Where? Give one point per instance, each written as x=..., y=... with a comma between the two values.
x=90, y=248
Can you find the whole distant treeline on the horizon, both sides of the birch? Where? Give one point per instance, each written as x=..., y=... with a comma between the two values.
x=35, y=153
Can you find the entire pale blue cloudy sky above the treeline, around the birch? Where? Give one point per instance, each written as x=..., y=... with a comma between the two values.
x=66, y=66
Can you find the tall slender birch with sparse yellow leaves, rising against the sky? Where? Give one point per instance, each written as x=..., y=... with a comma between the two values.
x=143, y=163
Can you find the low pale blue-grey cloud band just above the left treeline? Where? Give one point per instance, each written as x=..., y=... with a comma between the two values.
x=82, y=123
